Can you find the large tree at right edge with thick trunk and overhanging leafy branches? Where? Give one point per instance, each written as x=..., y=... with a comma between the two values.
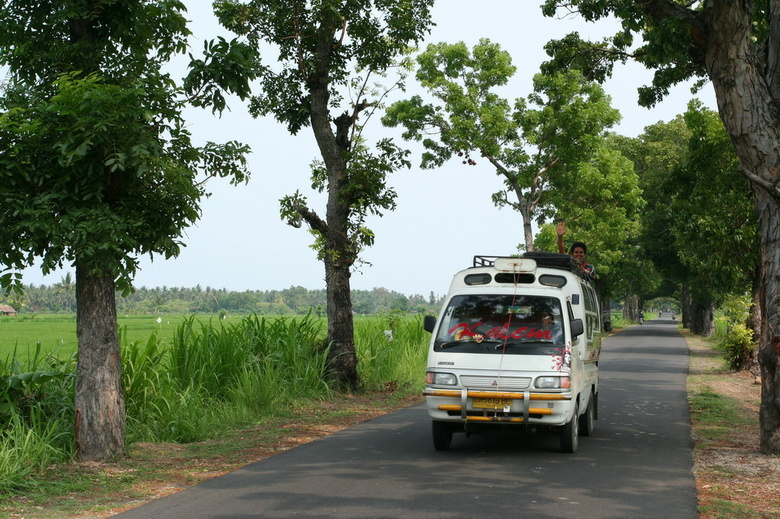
x=736, y=45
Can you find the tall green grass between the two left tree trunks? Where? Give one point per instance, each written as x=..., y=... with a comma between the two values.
x=215, y=376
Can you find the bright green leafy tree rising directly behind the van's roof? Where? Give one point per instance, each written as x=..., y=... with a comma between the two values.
x=547, y=148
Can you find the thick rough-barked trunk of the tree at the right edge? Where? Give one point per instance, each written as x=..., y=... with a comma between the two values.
x=747, y=89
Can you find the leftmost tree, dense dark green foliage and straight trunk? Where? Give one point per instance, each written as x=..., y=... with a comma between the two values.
x=96, y=169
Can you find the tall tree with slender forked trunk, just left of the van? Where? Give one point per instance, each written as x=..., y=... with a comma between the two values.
x=328, y=55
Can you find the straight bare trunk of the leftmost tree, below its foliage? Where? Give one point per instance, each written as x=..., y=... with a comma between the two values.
x=100, y=404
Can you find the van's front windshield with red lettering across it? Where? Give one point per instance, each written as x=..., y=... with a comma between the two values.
x=502, y=324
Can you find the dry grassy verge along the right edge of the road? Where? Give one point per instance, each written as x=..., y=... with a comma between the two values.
x=734, y=480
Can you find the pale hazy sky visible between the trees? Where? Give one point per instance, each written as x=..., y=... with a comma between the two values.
x=443, y=218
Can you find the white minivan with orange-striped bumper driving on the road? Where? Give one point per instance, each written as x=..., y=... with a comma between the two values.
x=516, y=344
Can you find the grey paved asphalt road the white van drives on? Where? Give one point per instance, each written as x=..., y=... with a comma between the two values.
x=637, y=463
